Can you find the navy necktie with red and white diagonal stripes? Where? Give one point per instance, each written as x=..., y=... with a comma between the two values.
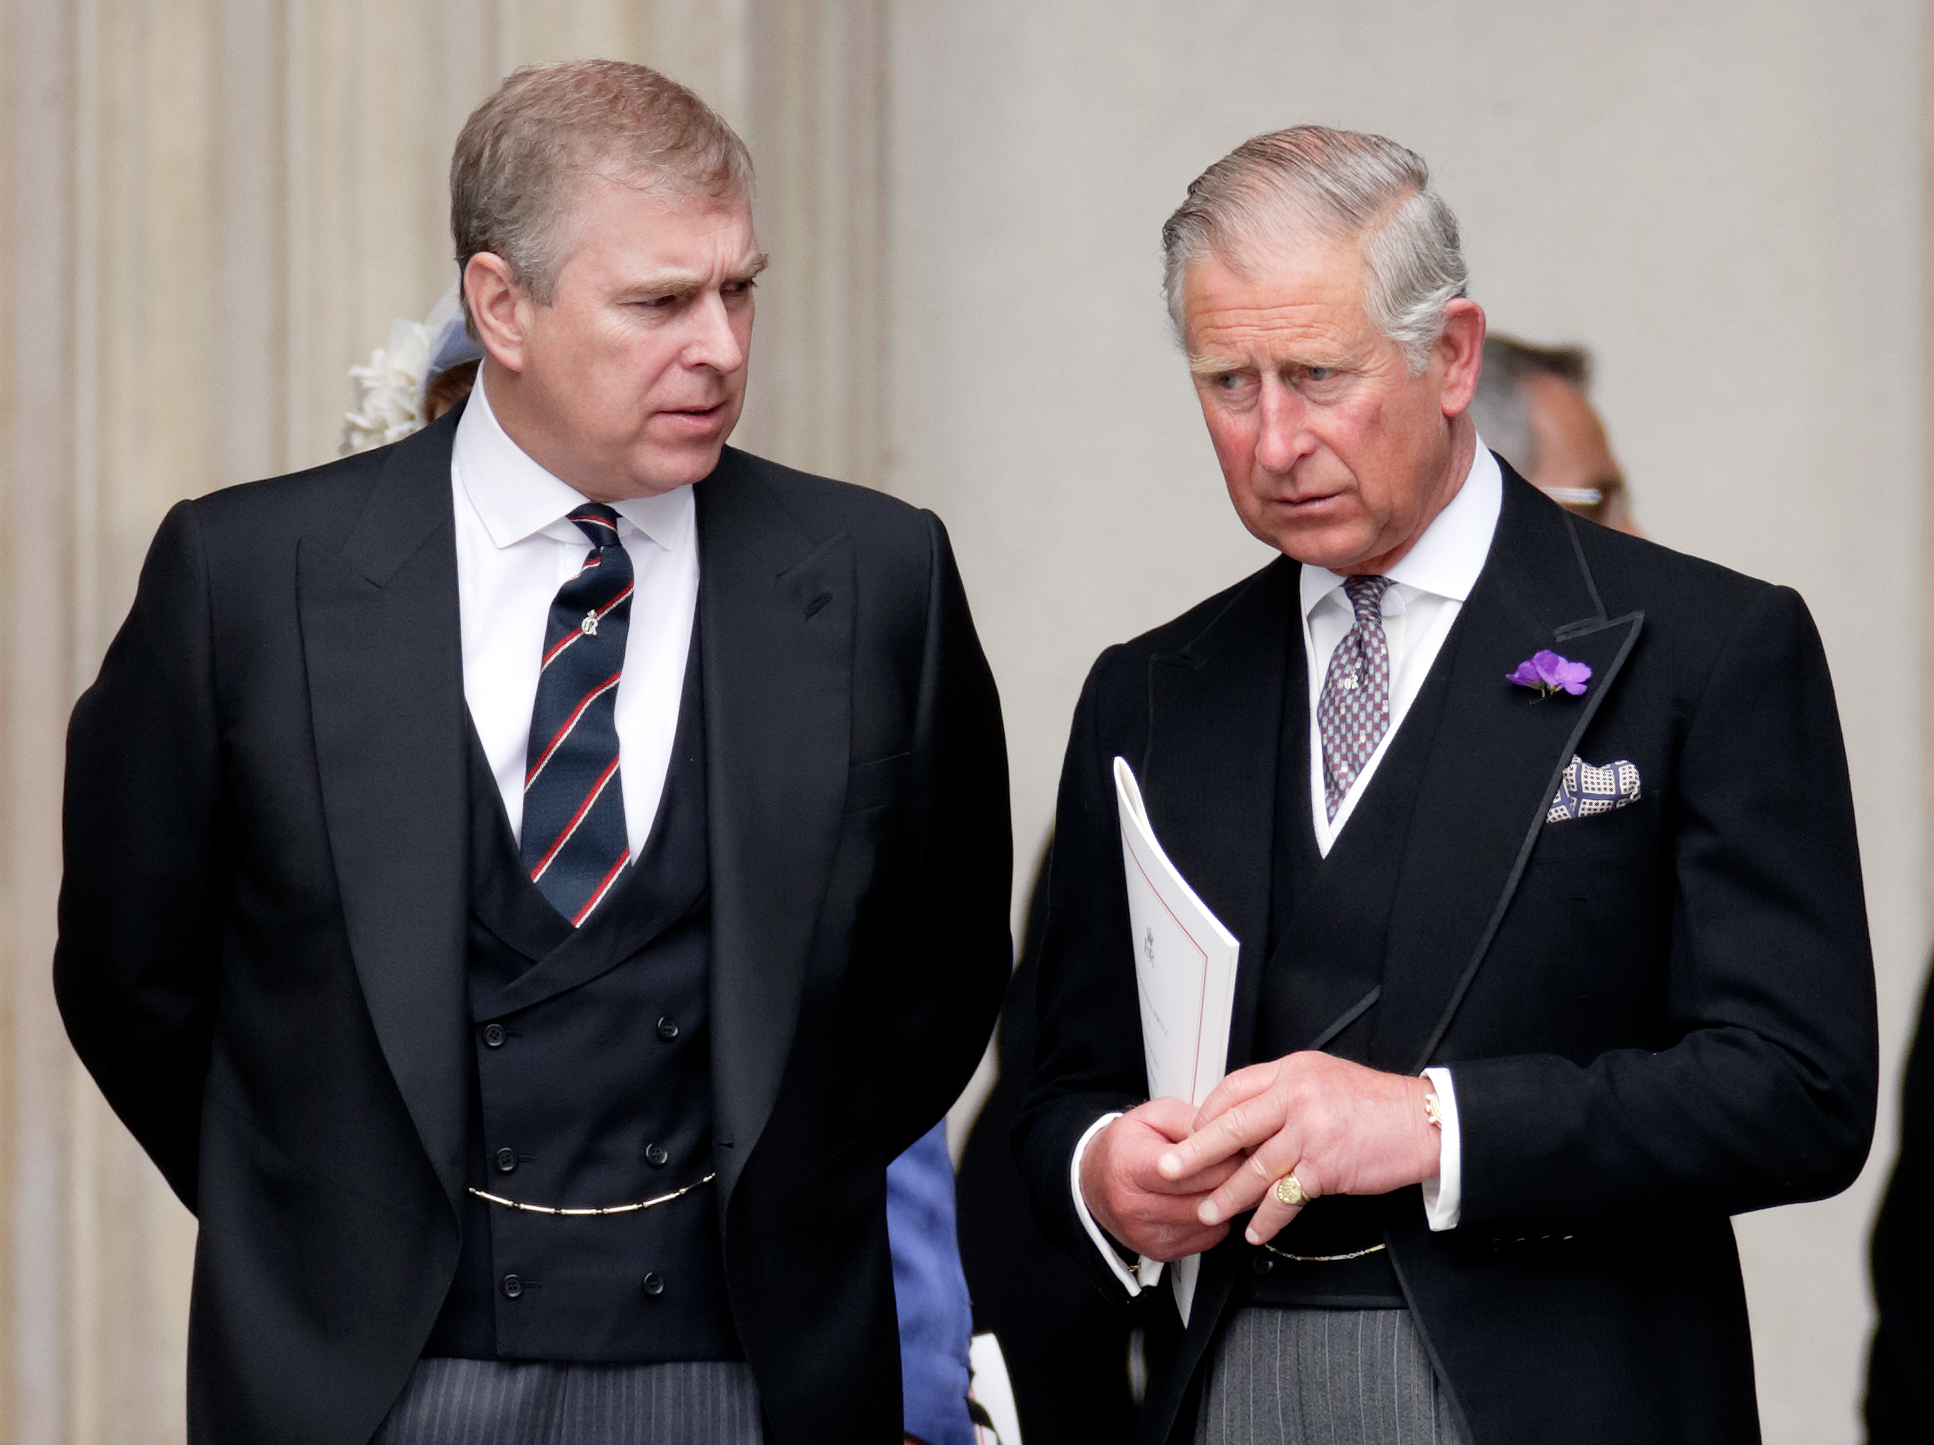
x=575, y=842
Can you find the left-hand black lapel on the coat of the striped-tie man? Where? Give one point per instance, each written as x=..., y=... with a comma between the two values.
x=384, y=655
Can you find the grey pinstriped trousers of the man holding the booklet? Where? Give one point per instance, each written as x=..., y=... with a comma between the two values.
x=1324, y=1378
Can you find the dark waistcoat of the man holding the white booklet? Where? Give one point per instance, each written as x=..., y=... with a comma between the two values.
x=1324, y=972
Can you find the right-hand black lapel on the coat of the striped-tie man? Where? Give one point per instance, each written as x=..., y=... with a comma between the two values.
x=777, y=634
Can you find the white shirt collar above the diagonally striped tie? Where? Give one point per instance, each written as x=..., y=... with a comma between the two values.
x=515, y=498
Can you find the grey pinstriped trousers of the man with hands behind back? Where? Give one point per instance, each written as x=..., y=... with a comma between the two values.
x=541, y=1403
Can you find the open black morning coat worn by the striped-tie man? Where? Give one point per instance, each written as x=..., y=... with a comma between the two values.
x=264, y=918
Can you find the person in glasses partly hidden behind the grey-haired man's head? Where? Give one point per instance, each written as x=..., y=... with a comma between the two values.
x=1531, y=409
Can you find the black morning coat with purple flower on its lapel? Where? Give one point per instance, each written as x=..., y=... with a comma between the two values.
x=1655, y=1018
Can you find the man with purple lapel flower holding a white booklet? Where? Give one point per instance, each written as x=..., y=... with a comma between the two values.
x=1550, y=964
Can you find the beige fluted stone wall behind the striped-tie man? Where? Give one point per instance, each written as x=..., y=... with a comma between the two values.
x=208, y=212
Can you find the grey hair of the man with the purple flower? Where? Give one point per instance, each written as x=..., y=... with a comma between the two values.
x=1339, y=187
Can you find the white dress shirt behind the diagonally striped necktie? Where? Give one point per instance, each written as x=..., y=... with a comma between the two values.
x=515, y=546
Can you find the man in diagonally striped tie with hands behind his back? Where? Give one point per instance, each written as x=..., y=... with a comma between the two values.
x=308, y=970
